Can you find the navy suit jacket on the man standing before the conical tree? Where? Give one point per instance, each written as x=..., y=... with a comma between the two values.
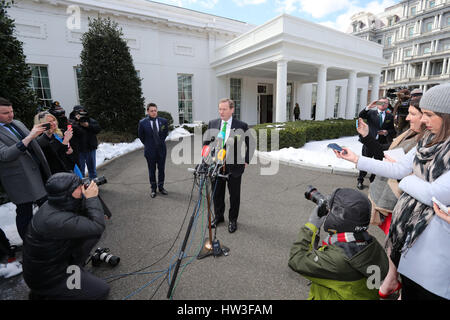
x=146, y=135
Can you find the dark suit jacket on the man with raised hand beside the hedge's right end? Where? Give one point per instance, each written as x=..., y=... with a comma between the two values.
x=374, y=124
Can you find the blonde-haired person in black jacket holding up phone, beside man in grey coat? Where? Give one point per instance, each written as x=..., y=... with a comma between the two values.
x=56, y=146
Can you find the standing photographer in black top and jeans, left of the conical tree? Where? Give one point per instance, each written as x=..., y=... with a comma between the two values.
x=84, y=141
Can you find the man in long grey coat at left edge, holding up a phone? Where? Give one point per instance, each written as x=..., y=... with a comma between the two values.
x=23, y=167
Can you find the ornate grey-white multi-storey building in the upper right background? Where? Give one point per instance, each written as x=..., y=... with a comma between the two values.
x=416, y=39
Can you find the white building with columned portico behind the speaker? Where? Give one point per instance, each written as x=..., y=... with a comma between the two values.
x=188, y=60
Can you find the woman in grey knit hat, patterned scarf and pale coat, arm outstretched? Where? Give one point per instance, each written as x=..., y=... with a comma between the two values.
x=424, y=173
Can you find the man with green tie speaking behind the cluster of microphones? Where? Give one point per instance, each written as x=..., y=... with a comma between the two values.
x=235, y=163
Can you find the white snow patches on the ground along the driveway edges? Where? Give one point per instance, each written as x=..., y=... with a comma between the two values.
x=313, y=153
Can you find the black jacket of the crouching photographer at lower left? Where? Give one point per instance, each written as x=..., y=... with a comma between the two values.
x=54, y=240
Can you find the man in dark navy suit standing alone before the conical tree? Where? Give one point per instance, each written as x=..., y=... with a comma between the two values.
x=152, y=132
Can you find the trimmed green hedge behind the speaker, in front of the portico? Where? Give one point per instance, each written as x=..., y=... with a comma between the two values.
x=296, y=134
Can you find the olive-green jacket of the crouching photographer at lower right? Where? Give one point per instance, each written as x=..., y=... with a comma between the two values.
x=340, y=271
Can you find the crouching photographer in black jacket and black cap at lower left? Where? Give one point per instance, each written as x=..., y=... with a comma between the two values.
x=59, y=240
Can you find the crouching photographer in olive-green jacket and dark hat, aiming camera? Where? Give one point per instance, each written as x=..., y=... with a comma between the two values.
x=341, y=267
